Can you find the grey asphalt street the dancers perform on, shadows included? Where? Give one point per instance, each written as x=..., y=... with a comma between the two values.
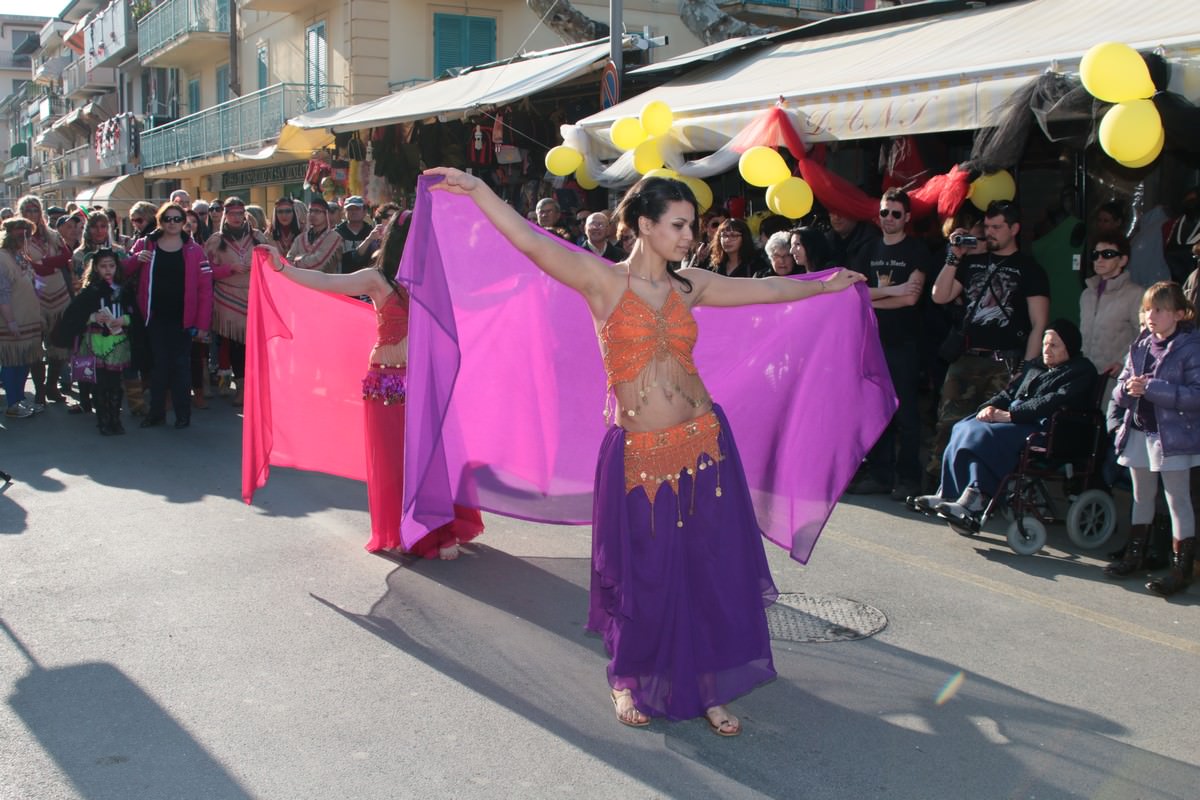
x=164, y=640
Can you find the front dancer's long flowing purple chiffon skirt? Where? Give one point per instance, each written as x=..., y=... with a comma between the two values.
x=682, y=611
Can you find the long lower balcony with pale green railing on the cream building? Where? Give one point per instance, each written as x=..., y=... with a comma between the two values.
x=243, y=124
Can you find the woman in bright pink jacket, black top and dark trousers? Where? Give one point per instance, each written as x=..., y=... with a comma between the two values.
x=176, y=299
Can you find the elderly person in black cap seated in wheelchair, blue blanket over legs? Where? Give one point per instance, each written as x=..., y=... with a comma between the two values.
x=986, y=448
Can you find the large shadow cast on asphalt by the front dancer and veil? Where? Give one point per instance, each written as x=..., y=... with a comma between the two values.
x=863, y=717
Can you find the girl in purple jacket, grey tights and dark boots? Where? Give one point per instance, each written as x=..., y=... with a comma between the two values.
x=1160, y=436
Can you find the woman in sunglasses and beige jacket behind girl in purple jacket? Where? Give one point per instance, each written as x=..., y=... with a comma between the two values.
x=1109, y=306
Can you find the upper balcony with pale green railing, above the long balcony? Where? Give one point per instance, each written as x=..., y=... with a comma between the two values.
x=184, y=34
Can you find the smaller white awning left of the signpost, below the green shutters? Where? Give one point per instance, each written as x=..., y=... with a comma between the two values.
x=455, y=98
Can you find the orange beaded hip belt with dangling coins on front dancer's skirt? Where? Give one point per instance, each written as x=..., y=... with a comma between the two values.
x=658, y=458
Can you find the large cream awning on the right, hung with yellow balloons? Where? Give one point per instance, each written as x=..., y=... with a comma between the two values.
x=951, y=73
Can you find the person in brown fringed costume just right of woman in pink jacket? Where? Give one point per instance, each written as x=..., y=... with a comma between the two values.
x=231, y=254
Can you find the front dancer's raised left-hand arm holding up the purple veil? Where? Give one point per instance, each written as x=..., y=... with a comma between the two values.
x=581, y=272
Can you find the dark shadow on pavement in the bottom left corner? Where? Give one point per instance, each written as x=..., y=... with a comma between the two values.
x=111, y=739
